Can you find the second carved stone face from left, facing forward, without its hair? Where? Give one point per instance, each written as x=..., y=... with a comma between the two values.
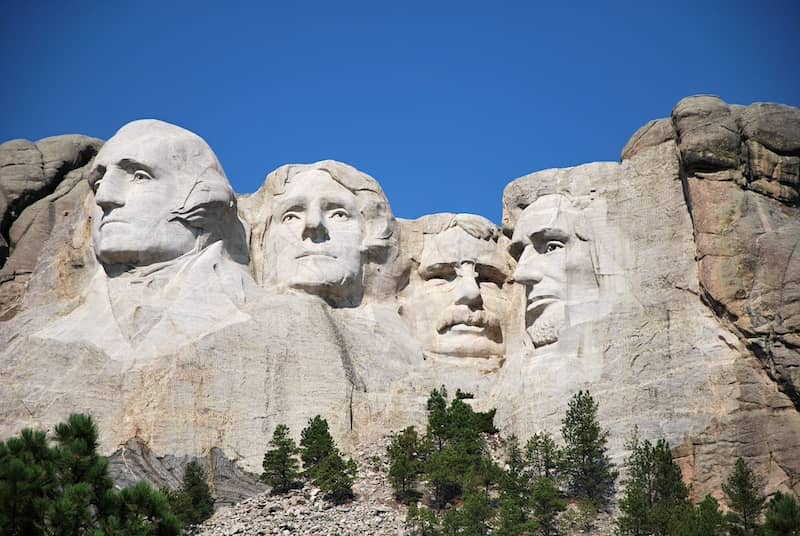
x=316, y=234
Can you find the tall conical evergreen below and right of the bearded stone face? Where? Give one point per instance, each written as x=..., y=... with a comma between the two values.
x=589, y=470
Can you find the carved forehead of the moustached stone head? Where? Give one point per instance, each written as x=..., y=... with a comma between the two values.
x=454, y=246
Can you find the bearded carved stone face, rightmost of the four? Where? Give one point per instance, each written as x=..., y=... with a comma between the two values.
x=543, y=243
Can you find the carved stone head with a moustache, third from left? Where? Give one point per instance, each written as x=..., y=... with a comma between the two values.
x=457, y=305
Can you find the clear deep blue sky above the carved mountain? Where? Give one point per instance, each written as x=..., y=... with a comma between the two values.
x=443, y=102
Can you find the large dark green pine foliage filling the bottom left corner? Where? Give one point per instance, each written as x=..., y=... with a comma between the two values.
x=65, y=490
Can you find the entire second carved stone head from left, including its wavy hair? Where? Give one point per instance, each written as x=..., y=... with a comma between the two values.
x=324, y=220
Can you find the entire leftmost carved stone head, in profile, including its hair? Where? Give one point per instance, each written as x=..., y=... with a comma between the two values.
x=160, y=193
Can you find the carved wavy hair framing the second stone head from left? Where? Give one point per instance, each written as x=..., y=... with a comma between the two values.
x=371, y=201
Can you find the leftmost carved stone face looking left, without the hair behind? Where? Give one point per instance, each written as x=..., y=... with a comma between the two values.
x=138, y=183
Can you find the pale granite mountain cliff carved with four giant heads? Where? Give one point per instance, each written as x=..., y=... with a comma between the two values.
x=190, y=321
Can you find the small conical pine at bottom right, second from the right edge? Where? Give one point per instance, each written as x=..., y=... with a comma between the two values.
x=745, y=500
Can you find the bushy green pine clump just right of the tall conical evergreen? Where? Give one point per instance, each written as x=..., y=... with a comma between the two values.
x=655, y=500
